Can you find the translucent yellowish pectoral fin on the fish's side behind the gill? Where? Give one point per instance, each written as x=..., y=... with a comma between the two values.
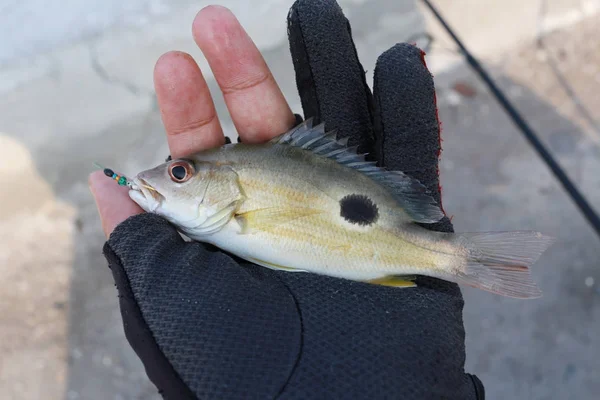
x=265, y=219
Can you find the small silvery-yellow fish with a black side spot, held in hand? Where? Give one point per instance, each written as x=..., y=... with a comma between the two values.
x=305, y=202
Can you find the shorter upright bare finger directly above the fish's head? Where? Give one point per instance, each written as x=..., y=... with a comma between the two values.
x=186, y=105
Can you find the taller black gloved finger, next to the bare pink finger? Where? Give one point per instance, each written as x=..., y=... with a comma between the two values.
x=330, y=79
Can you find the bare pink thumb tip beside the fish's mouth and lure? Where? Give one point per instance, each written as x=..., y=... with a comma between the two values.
x=112, y=201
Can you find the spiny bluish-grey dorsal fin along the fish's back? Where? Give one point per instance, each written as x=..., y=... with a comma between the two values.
x=412, y=196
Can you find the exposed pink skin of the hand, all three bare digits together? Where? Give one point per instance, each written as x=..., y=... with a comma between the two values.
x=257, y=107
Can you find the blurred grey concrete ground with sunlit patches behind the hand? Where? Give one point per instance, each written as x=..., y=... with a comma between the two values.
x=78, y=89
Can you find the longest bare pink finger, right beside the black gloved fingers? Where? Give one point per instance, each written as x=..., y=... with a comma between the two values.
x=256, y=104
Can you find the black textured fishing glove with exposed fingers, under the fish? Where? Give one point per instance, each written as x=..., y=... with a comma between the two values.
x=209, y=325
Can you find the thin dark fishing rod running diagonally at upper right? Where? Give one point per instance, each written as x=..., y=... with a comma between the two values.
x=530, y=135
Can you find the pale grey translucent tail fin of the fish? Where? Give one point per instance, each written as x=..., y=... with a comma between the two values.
x=499, y=261
